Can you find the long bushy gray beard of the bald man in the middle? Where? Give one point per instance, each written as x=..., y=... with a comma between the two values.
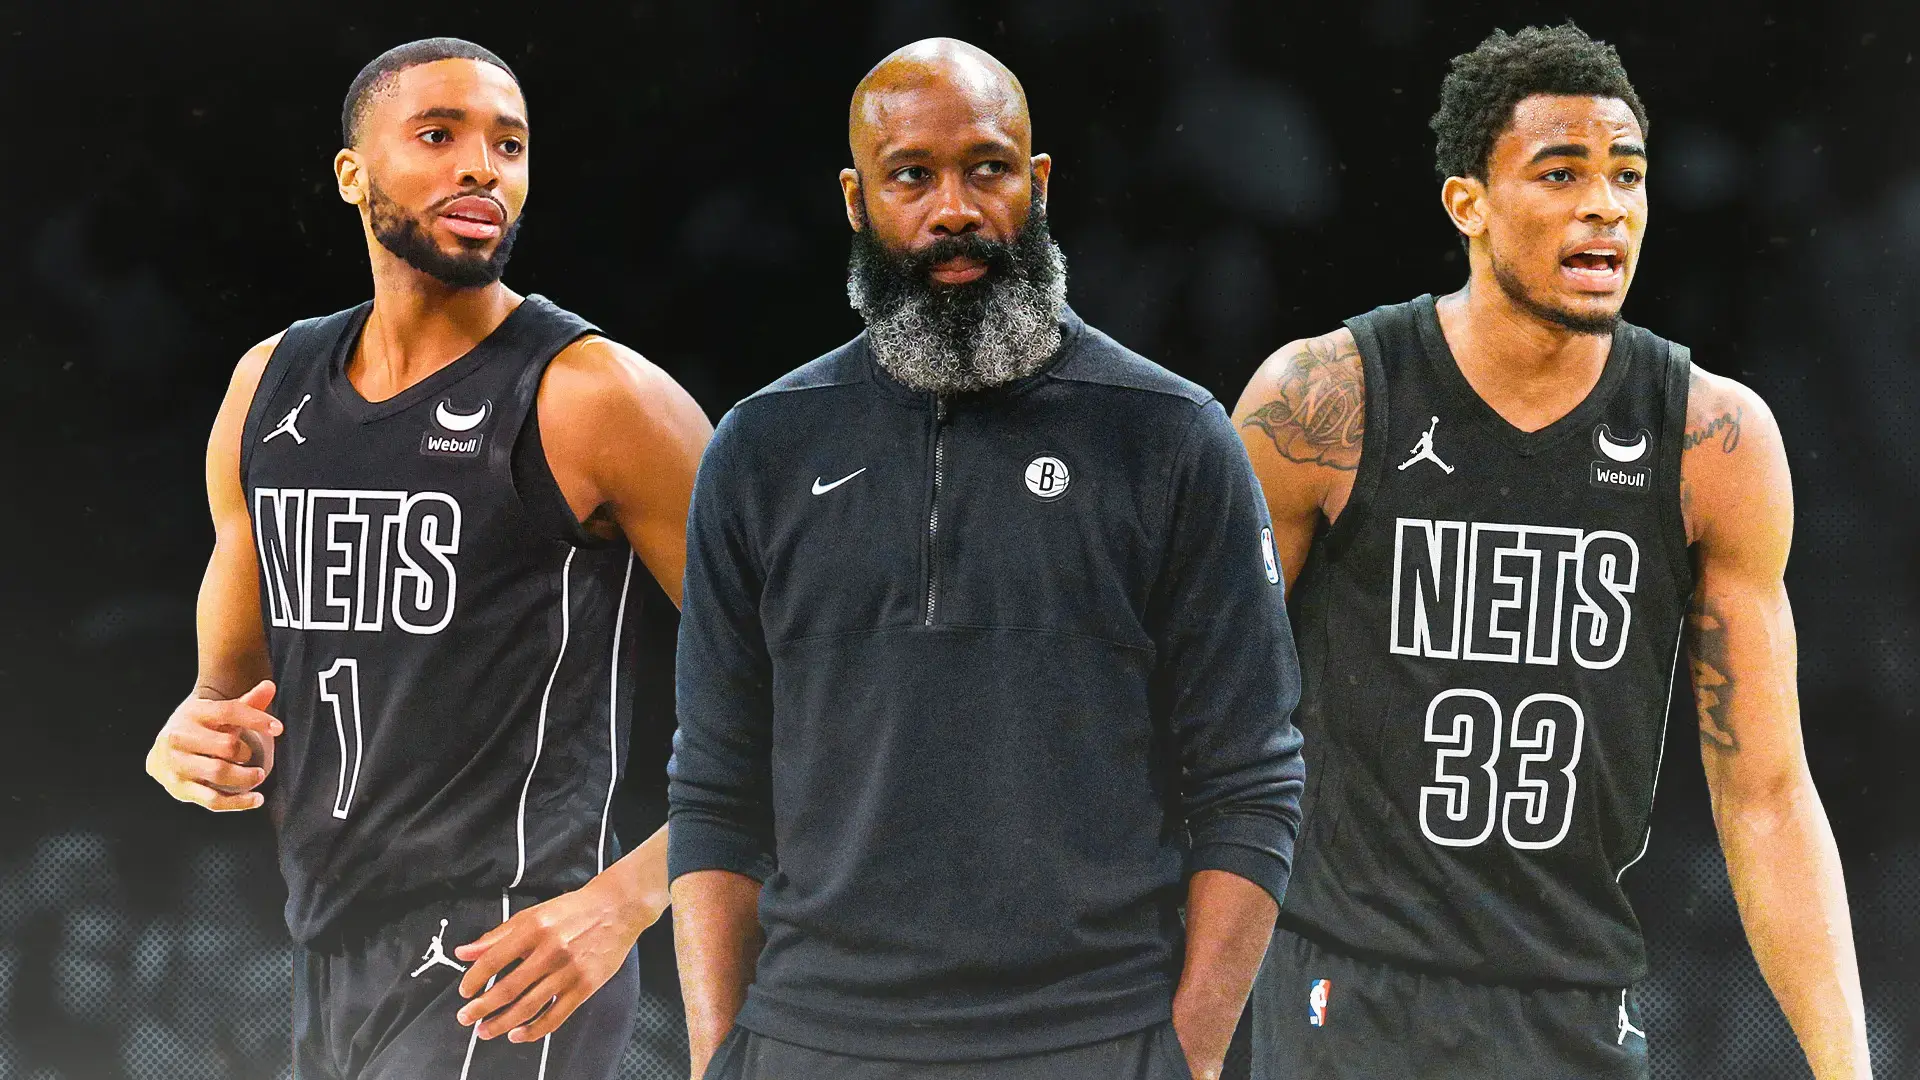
x=1017, y=333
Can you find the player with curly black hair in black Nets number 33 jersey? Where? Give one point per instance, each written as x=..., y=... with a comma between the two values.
x=1500, y=510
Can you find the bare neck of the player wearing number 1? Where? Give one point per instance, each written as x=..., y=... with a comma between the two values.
x=421, y=326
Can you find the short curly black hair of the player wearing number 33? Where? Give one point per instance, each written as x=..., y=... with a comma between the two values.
x=1479, y=93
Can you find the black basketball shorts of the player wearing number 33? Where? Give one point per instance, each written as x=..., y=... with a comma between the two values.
x=1324, y=1016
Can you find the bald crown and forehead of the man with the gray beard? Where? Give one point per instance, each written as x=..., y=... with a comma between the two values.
x=946, y=66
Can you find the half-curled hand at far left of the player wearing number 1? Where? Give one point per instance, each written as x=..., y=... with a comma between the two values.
x=218, y=752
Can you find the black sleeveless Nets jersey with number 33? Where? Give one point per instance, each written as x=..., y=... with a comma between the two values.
x=1487, y=647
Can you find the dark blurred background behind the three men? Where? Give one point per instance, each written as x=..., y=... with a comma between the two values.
x=1228, y=178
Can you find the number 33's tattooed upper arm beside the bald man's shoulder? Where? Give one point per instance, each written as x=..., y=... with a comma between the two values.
x=1303, y=422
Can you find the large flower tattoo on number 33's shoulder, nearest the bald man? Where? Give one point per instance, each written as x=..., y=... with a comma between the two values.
x=1320, y=414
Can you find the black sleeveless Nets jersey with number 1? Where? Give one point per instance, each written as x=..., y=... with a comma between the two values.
x=450, y=647
